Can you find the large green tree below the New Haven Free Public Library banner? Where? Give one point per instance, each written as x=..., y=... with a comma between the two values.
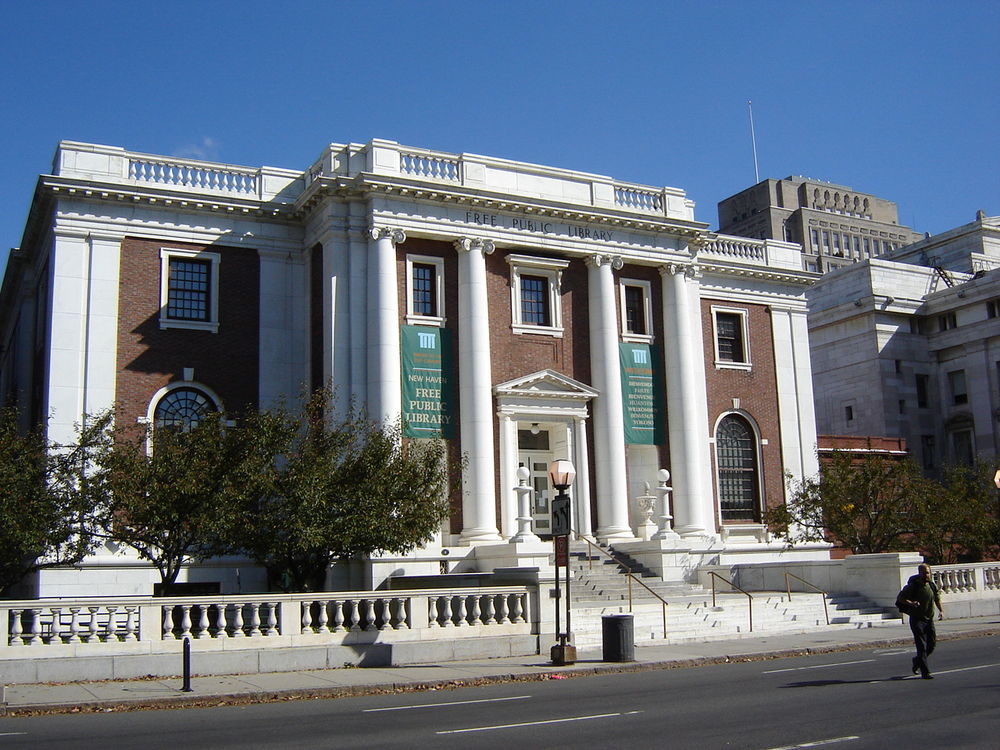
x=345, y=487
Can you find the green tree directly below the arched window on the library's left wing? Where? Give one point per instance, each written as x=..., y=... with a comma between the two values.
x=170, y=492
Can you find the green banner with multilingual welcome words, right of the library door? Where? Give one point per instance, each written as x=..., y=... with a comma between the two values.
x=642, y=394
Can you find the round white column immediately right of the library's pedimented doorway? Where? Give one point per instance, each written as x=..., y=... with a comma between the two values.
x=609, y=421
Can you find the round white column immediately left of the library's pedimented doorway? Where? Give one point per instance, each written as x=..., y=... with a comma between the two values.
x=475, y=390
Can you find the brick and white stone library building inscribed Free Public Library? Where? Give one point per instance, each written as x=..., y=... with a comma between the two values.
x=523, y=312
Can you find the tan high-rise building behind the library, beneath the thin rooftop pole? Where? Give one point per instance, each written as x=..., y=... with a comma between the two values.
x=835, y=224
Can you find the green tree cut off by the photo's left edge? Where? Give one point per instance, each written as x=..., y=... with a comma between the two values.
x=48, y=515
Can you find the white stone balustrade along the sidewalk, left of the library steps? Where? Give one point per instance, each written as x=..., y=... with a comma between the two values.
x=101, y=625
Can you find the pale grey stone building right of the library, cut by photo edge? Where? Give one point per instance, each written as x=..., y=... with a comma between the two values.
x=908, y=346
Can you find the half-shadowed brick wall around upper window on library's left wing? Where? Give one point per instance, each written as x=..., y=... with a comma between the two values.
x=150, y=358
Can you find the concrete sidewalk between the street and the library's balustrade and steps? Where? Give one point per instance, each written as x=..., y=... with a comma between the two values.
x=235, y=689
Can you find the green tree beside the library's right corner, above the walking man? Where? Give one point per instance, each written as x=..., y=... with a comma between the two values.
x=871, y=504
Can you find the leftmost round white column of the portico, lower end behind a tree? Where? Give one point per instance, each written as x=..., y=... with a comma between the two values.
x=385, y=398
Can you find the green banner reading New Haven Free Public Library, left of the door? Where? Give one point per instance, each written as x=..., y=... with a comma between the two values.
x=427, y=397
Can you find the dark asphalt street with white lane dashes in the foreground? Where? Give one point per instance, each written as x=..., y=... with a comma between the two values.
x=857, y=700
